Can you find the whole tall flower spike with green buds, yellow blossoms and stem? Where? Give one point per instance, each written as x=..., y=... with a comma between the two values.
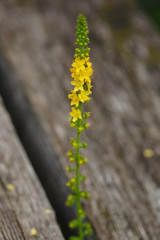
x=81, y=73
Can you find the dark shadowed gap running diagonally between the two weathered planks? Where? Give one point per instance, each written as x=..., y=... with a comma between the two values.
x=41, y=154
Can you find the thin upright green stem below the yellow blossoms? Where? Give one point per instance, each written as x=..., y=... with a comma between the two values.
x=80, y=229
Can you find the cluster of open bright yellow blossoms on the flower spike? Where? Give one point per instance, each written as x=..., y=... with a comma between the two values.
x=81, y=72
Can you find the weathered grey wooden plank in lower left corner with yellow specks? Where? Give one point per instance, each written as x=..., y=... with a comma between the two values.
x=23, y=204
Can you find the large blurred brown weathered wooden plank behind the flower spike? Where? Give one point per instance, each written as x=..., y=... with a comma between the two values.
x=37, y=39
